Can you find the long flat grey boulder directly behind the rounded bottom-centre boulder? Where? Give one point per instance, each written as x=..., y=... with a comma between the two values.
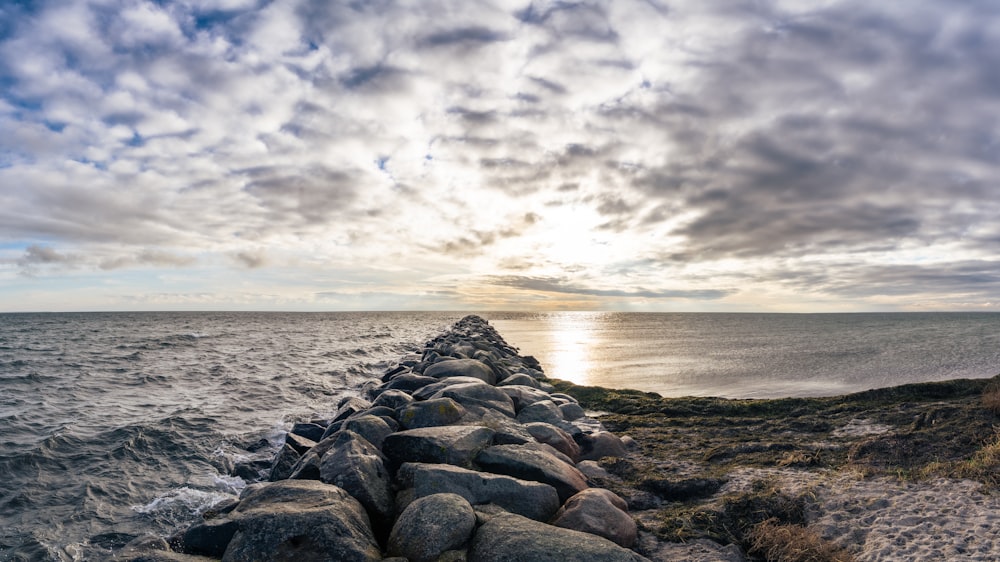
x=533, y=500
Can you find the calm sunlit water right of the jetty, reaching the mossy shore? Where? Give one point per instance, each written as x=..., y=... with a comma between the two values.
x=756, y=355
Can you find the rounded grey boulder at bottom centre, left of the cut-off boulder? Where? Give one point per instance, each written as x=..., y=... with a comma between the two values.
x=432, y=525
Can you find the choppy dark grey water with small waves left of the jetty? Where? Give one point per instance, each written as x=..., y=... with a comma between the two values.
x=114, y=425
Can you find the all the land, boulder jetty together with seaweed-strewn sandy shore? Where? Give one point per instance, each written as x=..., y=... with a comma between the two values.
x=688, y=478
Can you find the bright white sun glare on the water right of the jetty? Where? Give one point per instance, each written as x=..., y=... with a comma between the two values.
x=573, y=338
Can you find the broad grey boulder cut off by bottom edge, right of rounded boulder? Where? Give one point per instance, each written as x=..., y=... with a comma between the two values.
x=510, y=538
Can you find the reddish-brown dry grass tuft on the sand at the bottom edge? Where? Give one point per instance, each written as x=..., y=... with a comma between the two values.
x=783, y=542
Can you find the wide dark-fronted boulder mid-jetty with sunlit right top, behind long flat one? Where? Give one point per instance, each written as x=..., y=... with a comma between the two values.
x=457, y=445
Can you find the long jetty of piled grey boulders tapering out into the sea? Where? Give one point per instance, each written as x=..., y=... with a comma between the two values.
x=461, y=453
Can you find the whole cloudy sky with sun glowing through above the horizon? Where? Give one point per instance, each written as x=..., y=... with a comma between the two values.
x=514, y=154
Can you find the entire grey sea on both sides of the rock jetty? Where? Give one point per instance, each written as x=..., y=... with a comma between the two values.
x=116, y=425
